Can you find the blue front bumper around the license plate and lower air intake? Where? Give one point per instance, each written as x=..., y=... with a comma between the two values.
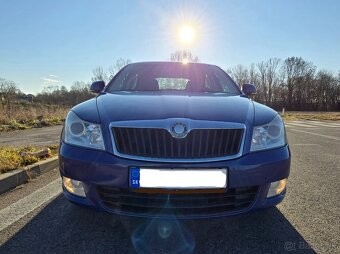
x=99, y=168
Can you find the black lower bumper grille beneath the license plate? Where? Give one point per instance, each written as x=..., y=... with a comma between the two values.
x=188, y=205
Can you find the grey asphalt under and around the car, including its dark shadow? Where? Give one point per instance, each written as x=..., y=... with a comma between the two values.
x=36, y=218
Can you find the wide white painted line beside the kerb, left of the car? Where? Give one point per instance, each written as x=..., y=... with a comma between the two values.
x=19, y=209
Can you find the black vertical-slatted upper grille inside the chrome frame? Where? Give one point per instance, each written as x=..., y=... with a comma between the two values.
x=159, y=143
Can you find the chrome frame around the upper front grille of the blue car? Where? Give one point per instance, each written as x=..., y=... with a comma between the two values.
x=166, y=124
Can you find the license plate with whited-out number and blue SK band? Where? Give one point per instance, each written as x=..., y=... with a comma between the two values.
x=178, y=178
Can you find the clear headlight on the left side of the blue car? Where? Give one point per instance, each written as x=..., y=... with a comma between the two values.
x=81, y=133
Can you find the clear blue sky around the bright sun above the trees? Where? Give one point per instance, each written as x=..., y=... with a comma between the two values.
x=47, y=42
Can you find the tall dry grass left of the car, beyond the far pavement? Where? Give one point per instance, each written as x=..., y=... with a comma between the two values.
x=24, y=116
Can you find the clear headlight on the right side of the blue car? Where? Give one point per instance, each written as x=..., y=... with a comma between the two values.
x=269, y=136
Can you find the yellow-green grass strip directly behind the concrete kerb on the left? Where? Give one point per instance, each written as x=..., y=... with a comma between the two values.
x=11, y=157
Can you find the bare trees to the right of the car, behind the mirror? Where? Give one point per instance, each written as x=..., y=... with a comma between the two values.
x=293, y=84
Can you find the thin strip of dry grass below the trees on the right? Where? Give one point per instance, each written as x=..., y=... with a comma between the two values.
x=330, y=116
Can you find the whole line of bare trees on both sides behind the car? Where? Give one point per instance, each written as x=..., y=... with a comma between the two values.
x=293, y=84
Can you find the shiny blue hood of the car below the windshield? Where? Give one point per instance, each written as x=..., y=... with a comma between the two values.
x=125, y=106
